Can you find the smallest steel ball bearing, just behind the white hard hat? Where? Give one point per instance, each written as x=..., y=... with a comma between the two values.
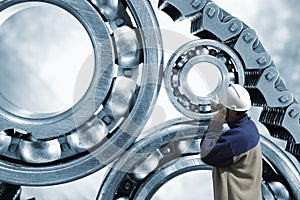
x=209, y=58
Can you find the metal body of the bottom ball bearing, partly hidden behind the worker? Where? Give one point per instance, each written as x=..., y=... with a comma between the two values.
x=173, y=150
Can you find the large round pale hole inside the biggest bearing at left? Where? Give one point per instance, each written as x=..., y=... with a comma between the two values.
x=43, y=51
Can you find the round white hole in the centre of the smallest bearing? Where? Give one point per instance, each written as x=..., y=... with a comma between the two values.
x=203, y=79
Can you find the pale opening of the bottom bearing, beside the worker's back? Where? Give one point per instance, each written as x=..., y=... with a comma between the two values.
x=190, y=185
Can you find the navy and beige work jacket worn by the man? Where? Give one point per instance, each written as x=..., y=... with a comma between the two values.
x=236, y=157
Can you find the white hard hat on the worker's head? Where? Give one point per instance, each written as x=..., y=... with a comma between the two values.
x=236, y=98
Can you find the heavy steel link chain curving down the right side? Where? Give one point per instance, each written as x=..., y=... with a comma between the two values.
x=262, y=79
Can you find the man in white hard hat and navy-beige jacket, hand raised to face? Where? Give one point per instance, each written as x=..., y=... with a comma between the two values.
x=235, y=153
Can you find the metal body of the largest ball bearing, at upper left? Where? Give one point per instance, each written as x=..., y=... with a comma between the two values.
x=46, y=148
